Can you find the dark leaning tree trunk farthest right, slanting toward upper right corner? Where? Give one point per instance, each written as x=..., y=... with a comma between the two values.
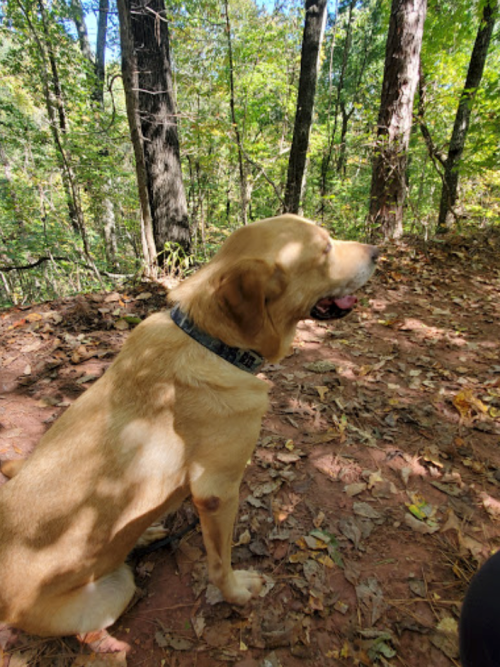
x=462, y=118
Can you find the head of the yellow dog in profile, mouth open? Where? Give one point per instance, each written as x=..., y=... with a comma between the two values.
x=270, y=275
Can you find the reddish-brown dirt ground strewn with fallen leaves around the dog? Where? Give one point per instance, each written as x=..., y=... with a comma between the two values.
x=373, y=494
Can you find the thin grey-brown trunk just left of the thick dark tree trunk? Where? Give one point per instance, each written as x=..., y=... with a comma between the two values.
x=131, y=86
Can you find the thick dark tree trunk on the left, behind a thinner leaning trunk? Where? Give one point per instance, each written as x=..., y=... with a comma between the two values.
x=158, y=123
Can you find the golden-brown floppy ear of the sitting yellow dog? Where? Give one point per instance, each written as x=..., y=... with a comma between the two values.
x=244, y=291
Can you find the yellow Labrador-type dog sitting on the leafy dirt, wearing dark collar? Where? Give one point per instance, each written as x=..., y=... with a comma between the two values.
x=177, y=414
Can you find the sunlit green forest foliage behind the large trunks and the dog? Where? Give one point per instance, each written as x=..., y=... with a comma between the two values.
x=70, y=212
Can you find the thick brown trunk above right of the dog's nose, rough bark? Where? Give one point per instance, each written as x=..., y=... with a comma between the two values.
x=402, y=57
